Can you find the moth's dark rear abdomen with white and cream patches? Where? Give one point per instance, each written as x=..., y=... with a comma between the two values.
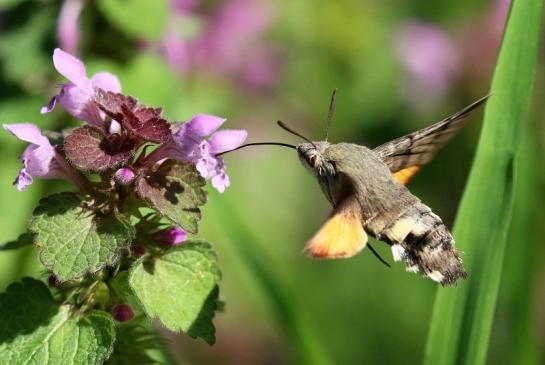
x=423, y=242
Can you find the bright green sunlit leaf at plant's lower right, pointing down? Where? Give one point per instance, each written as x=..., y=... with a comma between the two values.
x=180, y=288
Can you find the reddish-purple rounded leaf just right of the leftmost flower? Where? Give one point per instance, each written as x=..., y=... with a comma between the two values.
x=89, y=149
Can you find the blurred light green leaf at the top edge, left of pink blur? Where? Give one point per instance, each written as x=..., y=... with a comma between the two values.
x=137, y=18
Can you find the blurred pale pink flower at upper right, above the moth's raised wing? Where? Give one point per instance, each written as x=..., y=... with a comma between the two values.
x=430, y=60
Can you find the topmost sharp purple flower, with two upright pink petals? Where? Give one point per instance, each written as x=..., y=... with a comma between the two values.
x=77, y=96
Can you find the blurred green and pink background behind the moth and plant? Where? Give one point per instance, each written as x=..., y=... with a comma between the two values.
x=398, y=66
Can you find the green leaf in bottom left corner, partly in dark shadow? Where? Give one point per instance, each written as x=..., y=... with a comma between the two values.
x=36, y=330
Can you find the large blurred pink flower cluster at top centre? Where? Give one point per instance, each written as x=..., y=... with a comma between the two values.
x=230, y=42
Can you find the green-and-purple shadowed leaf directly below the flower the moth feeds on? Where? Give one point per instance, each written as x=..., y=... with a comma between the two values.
x=176, y=191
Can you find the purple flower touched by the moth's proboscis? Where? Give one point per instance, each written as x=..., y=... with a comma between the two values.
x=189, y=144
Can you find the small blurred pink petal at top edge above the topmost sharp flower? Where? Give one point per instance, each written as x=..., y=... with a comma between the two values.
x=68, y=31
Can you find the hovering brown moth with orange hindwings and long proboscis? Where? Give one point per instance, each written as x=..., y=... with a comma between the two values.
x=367, y=190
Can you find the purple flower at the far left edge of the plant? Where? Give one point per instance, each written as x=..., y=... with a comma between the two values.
x=39, y=158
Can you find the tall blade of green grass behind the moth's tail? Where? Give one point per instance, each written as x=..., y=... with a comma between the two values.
x=462, y=317
